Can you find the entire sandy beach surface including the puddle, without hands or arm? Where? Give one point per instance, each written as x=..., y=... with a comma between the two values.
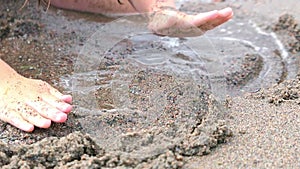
x=233, y=102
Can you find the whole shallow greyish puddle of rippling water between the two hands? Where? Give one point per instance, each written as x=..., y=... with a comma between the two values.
x=215, y=60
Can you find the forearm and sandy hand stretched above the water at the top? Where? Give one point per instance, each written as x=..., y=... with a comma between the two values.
x=164, y=18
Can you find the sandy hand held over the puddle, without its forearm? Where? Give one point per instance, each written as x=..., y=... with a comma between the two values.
x=171, y=22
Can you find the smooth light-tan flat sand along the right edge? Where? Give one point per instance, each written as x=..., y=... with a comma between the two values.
x=265, y=123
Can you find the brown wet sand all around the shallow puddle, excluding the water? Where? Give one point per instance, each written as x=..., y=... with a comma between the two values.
x=259, y=129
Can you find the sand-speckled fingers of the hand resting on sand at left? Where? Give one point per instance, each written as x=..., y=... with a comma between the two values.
x=38, y=113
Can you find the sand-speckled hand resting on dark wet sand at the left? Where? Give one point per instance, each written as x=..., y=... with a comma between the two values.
x=26, y=103
